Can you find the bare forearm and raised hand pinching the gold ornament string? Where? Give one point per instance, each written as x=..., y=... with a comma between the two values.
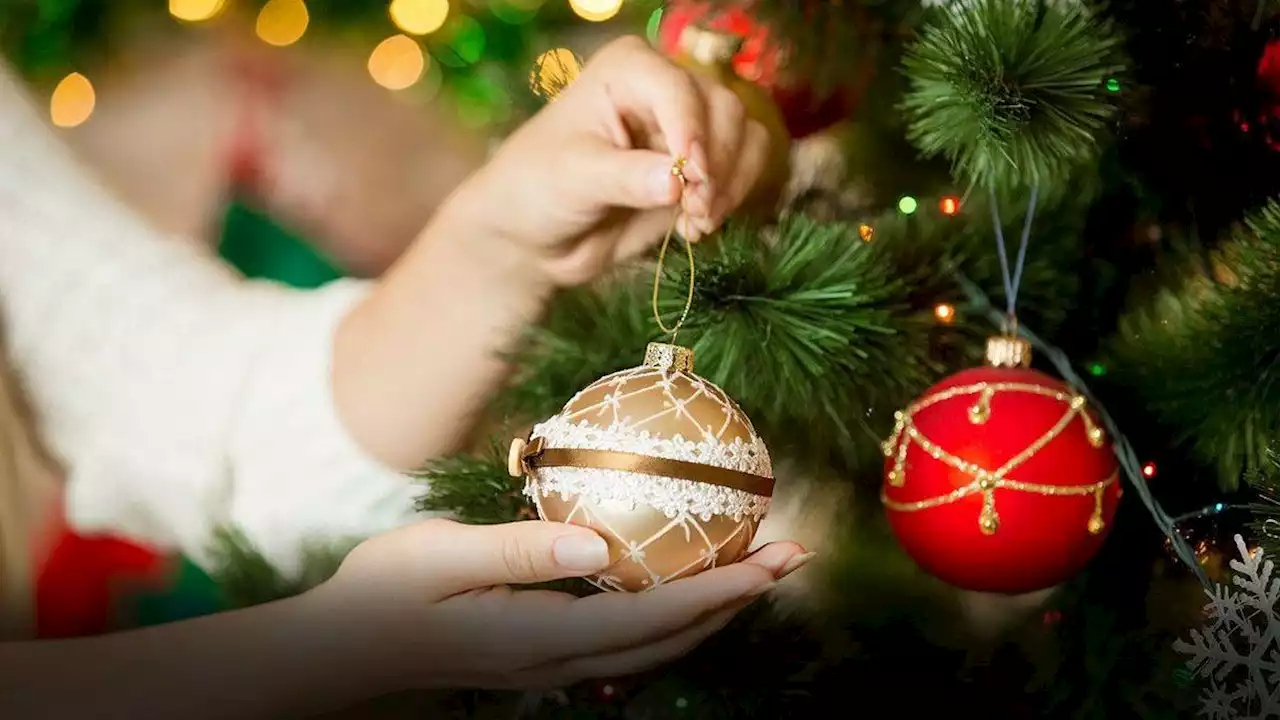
x=582, y=186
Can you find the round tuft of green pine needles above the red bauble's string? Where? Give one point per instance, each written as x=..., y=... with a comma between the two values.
x=1013, y=93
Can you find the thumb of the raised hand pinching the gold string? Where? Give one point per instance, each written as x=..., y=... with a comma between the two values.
x=641, y=180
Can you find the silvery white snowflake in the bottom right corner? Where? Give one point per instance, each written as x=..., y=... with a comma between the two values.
x=1238, y=650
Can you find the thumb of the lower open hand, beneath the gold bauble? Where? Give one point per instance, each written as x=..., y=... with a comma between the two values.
x=468, y=558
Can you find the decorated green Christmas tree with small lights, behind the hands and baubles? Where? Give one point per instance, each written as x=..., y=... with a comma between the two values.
x=1128, y=153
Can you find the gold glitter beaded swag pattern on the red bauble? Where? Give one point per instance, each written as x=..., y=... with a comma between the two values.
x=988, y=481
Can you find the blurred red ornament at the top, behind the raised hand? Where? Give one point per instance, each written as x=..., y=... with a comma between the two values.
x=762, y=60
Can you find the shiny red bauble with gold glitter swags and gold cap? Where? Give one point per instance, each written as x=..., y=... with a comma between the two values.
x=999, y=480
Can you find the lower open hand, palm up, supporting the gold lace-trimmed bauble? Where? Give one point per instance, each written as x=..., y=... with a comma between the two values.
x=431, y=604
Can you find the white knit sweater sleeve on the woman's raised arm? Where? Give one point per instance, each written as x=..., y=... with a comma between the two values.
x=179, y=397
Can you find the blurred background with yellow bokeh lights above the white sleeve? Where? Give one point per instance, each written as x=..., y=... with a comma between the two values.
x=308, y=140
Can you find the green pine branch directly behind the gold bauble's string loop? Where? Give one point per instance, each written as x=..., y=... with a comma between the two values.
x=806, y=326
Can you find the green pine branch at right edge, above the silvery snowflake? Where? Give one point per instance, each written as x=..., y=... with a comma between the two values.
x=1206, y=356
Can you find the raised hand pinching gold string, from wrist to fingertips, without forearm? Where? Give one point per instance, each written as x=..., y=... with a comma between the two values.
x=589, y=181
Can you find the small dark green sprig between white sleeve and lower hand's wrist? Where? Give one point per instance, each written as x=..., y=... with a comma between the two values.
x=248, y=578
